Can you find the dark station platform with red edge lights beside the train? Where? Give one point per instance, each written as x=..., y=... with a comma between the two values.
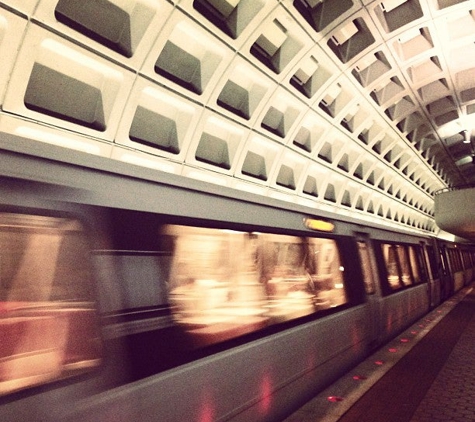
x=426, y=374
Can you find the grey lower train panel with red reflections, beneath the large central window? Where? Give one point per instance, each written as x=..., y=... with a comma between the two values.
x=263, y=380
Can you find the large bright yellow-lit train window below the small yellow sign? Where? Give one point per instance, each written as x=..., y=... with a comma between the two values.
x=225, y=283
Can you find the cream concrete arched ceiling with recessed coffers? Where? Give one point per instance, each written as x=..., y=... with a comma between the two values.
x=358, y=106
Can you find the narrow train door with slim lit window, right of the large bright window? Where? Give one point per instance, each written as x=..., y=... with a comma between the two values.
x=368, y=267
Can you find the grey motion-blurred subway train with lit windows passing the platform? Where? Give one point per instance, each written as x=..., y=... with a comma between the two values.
x=127, y=298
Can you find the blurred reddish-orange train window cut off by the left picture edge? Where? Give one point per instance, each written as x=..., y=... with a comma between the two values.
x=48, y=327
